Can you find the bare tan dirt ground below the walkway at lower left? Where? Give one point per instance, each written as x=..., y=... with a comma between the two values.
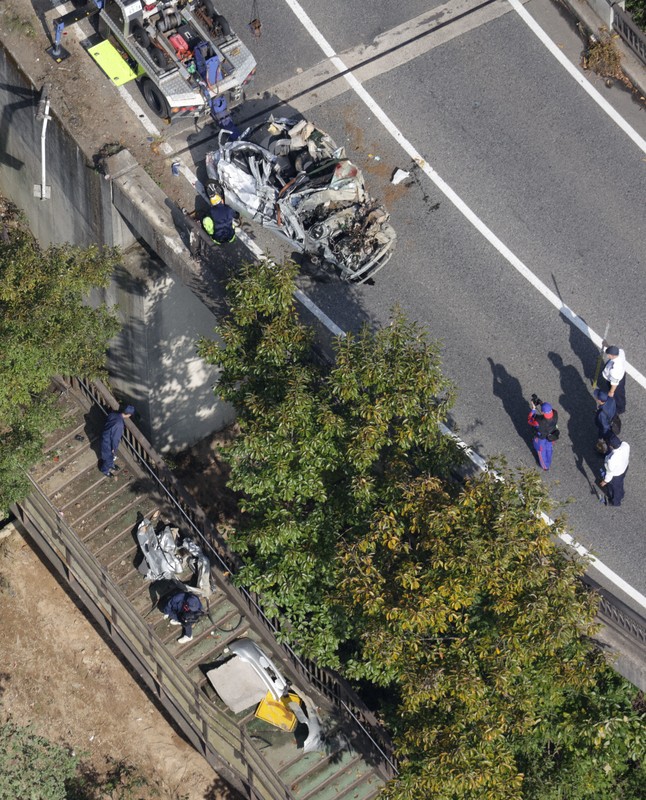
x=59, y=674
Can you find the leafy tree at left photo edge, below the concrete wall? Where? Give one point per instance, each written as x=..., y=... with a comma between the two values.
x=45, y=330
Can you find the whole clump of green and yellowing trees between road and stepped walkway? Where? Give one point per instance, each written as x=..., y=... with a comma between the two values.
x=450, y=597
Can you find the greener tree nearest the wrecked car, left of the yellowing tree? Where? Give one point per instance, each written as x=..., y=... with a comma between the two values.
x=318, y=447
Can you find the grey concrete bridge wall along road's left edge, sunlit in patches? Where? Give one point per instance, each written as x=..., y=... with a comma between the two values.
x=160, y=293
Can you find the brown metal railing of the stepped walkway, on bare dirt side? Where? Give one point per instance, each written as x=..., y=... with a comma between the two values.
x=225, y=746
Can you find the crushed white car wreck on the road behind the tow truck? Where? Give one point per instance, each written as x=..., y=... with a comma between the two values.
x=293, y=179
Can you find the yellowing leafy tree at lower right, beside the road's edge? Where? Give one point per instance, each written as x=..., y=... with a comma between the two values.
x=473, y=618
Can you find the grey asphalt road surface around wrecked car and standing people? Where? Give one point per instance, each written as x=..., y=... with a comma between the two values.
x=537, y=161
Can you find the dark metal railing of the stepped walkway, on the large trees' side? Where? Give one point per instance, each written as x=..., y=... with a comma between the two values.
x=330, y=685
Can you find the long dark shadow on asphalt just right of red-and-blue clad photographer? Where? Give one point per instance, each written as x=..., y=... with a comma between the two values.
x=578, y=407
